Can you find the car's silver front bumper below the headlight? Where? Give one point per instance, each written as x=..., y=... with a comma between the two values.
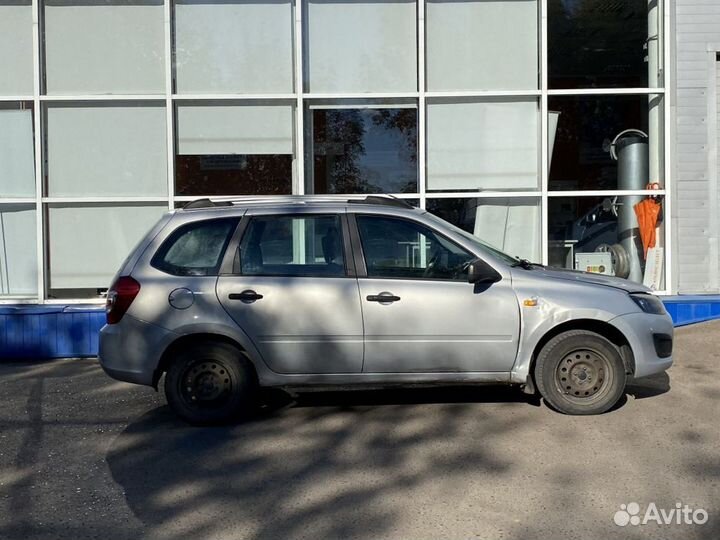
x=650, y=338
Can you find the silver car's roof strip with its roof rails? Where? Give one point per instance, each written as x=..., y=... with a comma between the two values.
x=285, y=200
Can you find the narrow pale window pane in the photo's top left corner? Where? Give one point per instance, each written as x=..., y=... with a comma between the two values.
x=16, y=47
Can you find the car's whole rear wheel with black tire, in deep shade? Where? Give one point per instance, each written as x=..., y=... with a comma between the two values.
x=210, y=383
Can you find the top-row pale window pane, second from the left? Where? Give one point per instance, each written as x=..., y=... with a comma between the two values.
x=99, y=47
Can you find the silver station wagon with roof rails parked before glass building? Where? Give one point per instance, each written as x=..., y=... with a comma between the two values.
x=227, y=296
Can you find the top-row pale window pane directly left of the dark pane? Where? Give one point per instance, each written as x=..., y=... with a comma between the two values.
x=469, y=46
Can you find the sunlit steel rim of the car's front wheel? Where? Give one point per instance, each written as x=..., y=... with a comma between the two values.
x=583, y=375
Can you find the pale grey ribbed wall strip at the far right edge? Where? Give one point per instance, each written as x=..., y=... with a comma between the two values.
x=697, y=204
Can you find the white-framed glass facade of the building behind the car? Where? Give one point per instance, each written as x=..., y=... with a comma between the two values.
x=537, y=125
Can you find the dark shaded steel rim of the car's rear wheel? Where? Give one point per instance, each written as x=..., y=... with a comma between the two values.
x=206, y=384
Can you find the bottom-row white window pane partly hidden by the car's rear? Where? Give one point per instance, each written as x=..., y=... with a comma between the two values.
x=87, y=243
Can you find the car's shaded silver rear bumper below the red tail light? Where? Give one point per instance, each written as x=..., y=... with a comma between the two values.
x=131, y=349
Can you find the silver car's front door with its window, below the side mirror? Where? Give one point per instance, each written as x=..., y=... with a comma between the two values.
x=420, y=313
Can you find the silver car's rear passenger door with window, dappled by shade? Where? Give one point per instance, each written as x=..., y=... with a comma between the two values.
x=294, y=292
